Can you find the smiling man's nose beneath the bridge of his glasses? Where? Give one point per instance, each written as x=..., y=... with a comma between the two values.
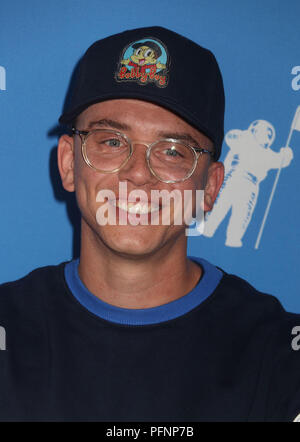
x=136, y=169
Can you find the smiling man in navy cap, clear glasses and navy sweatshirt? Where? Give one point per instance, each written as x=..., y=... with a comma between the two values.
x=135, y=330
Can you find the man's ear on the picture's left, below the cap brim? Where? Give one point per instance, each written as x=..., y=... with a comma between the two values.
x=65, y=159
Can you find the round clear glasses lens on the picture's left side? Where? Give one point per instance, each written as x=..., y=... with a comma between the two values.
x=107, y=151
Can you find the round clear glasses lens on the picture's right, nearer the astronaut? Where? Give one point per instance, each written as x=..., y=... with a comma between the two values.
x=171, y=160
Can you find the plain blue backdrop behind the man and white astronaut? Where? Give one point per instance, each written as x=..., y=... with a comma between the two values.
x=257, y=47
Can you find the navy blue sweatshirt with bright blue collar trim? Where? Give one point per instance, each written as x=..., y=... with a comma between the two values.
x=222, y=352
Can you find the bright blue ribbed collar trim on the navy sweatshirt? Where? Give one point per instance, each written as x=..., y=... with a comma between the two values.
x=210, y=279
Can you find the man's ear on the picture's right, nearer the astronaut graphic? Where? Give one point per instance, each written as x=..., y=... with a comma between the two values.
x=215, y=177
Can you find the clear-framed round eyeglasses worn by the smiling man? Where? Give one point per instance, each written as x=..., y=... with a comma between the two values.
x=169, y=160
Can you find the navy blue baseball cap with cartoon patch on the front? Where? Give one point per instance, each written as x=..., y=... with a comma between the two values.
x=157, y=65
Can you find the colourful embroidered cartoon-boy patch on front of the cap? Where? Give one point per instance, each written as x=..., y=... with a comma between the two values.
x=144, y=61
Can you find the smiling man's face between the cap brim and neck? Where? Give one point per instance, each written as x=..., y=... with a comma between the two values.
x=145, y=123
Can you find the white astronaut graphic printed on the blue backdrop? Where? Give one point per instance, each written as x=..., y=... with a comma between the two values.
x=247, y=163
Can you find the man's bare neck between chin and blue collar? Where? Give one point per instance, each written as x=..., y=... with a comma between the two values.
x=137, y=282
